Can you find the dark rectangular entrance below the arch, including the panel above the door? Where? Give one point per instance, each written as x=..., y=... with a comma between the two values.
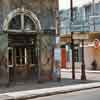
x=22, y=57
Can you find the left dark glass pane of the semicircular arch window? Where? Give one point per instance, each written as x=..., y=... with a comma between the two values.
x=15, y=23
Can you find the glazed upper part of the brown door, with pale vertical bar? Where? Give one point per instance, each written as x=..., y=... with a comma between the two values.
x=25, y=56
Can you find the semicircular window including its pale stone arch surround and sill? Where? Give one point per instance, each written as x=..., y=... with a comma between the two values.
x=21, y=20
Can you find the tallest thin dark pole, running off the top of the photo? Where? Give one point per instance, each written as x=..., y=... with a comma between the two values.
x=72, y=41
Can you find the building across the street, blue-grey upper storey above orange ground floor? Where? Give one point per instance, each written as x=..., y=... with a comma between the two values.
x=85, y=20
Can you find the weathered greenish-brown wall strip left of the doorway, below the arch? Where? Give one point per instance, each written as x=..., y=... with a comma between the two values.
x=3, y=59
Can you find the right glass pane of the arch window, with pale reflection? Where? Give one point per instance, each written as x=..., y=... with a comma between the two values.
x=28, y=24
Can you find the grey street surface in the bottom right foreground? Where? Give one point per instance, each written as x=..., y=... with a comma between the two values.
x=92, y=94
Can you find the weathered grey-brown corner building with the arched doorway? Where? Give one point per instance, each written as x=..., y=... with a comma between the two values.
x=27, y=35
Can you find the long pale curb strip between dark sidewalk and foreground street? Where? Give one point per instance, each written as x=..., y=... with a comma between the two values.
x=30, y=94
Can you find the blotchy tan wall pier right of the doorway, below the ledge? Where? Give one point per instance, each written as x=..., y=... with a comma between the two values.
x=47, y=42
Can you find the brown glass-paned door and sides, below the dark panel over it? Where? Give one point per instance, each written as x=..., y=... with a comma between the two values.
x=23, y=63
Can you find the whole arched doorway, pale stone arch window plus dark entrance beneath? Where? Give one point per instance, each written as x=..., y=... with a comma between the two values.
x=22, y=27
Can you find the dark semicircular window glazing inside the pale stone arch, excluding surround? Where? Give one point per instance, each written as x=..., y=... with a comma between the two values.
x=22, y=22
